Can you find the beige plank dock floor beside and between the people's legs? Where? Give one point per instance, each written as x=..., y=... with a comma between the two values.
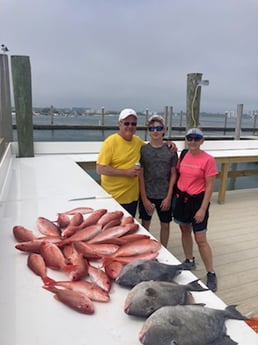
x=233, y=236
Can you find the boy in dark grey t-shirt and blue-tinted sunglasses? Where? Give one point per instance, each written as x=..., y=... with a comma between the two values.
x=157, y=178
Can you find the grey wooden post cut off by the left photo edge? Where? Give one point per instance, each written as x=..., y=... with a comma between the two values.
x=6, y=131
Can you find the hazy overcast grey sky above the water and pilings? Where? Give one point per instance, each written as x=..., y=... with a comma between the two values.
x=136, y=53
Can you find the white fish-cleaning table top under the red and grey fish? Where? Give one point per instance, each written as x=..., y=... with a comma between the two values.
x=42, y=186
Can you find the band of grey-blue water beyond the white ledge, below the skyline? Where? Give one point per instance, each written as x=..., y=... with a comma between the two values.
x=206, y=120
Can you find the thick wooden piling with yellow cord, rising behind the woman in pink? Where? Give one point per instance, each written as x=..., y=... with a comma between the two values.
x=193, y=96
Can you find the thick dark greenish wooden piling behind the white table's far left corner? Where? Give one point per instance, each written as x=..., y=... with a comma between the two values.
x=21, y=76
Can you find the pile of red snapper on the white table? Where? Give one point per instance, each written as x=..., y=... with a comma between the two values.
x=74, y=243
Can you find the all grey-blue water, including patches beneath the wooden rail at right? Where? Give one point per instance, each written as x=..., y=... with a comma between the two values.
x=216, y=120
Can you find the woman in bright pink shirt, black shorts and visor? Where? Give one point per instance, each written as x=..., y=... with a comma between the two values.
x=197, y=174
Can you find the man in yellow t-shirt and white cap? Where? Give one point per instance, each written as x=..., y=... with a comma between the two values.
x=117, y=160
